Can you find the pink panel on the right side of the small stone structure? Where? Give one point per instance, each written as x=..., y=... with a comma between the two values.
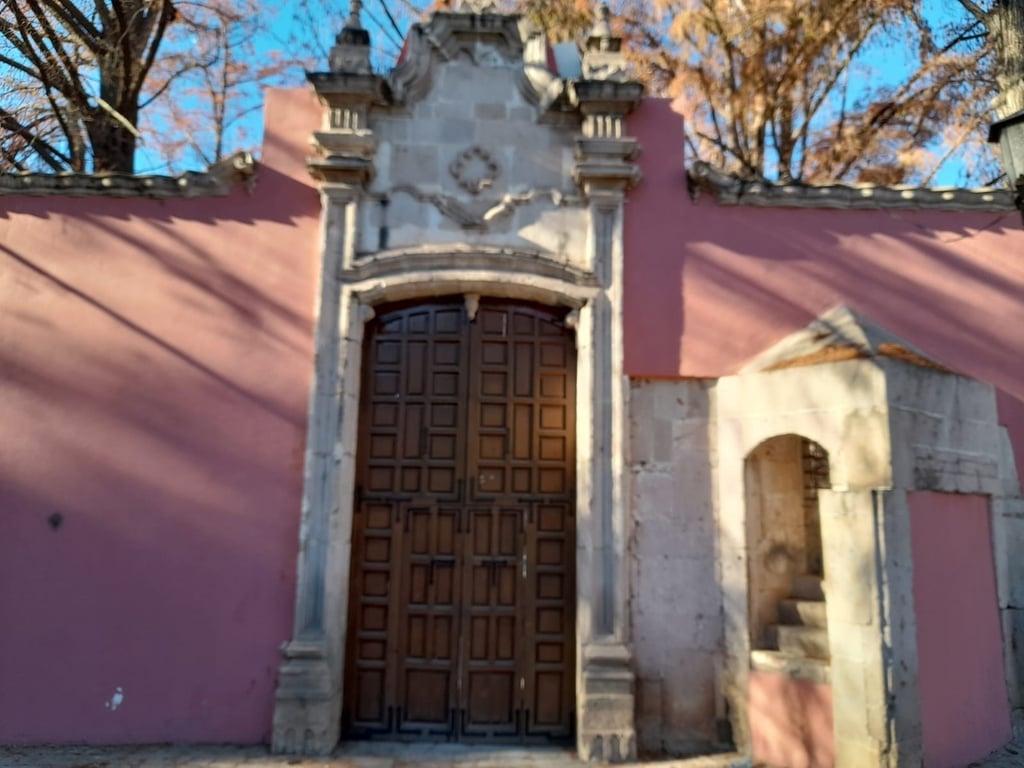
x=964, y=705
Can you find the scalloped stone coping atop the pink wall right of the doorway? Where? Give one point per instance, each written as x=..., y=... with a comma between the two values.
x=731, y=190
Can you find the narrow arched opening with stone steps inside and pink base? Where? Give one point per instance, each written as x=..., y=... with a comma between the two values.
x=790, y=694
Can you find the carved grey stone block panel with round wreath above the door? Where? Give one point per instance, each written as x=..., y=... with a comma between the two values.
x=471, y=163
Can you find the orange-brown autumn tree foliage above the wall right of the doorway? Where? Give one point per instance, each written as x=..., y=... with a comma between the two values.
x=804, y=91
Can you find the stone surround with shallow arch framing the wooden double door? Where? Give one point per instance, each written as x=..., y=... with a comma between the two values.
x=310, y=701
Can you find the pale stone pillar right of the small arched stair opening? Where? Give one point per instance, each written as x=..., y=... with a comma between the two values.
x=872, y=630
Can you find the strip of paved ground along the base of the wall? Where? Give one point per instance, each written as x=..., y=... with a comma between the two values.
x=369, y=756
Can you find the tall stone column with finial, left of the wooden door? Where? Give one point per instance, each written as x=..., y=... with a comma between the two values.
x=308, y=706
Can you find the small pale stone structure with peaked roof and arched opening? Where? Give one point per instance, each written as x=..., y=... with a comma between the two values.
x=893, y=423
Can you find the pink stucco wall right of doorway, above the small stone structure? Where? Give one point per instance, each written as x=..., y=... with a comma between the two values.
x=708, y=287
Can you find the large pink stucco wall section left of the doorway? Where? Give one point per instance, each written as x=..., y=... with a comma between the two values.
x=155, y=365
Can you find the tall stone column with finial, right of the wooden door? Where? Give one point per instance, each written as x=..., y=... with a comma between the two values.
x=605, y=170
